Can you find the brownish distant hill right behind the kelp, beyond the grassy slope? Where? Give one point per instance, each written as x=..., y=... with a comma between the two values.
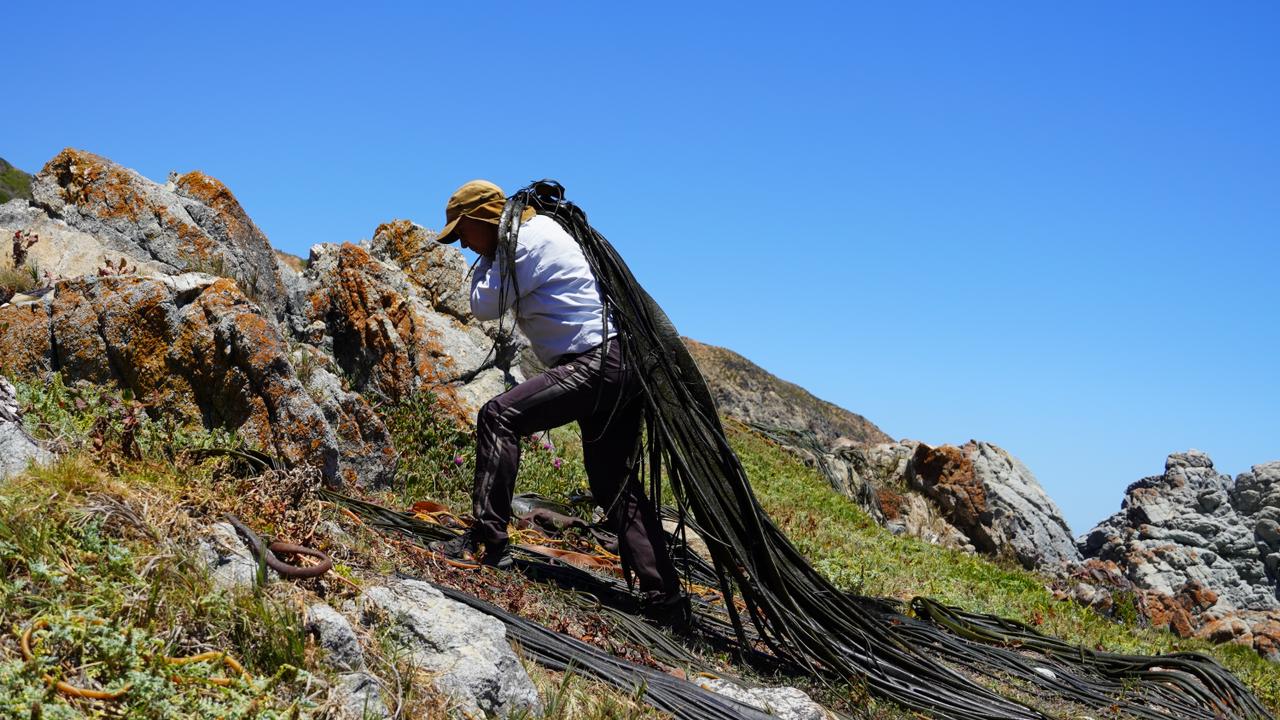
x=752, y=394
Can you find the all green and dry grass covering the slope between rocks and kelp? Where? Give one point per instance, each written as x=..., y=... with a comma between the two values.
x=67, y=557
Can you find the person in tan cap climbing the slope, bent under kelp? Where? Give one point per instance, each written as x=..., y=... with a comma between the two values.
x=560, y=311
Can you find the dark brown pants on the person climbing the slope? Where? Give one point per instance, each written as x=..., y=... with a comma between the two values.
x=609, y=409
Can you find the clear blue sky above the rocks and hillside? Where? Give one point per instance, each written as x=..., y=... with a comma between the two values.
x=1054, y=227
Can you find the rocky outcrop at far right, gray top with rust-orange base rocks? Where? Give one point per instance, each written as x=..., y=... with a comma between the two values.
x=1197, y=550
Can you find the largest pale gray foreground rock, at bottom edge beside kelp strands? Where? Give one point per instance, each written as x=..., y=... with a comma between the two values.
x=465, y=650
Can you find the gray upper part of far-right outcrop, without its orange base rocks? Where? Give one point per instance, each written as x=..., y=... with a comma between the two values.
x=1195, y=525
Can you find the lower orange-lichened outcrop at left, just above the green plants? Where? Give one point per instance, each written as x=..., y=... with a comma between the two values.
x=194, y=347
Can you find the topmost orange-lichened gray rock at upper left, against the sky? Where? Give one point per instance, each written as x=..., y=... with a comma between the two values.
x=193, y=224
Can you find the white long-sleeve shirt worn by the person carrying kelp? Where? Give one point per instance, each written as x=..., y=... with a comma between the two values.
x=560, y=303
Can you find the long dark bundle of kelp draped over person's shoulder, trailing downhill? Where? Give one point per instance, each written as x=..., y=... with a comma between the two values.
x=799, y=614
